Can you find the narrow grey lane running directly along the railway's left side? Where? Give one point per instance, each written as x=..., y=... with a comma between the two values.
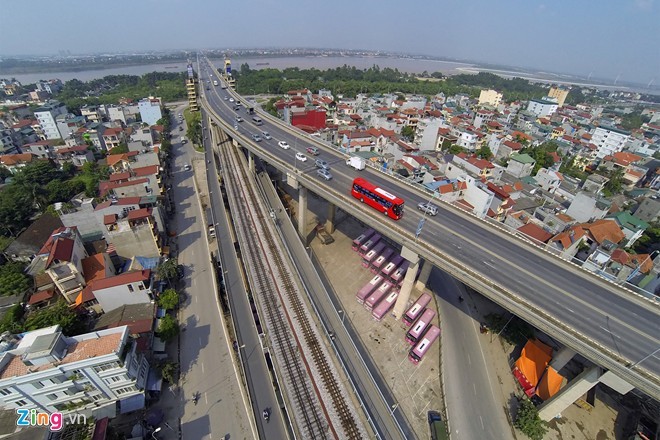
x=259, y=381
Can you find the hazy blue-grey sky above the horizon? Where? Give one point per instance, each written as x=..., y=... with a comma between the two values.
x=606, y=37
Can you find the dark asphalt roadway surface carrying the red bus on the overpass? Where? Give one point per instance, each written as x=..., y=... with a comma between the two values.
x=624, y=324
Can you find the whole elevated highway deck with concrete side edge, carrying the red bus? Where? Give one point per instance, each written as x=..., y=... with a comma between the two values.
x=614, y=328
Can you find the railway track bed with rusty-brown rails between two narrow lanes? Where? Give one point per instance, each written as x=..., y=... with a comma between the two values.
x=321, y=409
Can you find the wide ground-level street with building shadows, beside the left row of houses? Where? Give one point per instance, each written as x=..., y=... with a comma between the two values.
x=205, y=355
